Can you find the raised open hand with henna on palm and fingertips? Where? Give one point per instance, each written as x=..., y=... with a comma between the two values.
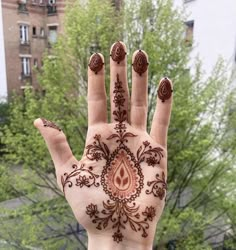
x=117, y=190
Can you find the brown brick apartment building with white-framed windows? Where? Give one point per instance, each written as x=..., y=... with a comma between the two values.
x=29, y=28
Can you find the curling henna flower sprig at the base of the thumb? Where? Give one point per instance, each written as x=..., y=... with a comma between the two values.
x=88, y=180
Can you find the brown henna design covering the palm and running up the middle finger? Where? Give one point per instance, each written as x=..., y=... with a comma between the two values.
x=121, y=178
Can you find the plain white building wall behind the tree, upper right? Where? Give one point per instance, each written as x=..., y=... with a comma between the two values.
x=211, y=27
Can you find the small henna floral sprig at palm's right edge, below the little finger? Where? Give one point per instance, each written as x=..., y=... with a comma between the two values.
x=158, y=186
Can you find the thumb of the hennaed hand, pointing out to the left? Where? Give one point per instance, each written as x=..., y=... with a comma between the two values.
x=56, y=142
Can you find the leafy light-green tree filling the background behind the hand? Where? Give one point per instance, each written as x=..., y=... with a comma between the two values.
x=201, y=136
